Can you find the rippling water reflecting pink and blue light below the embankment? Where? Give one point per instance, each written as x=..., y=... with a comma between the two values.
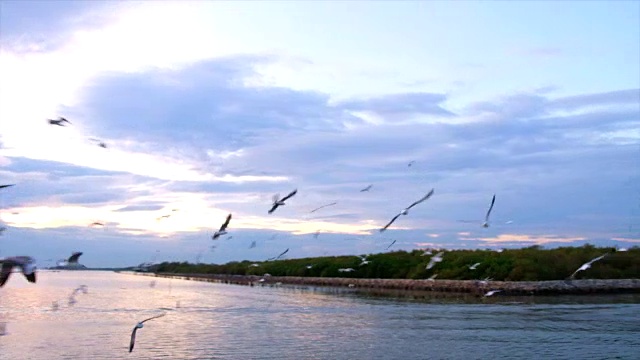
x=218, y=321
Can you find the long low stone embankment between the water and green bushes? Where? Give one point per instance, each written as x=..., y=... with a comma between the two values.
x=560, y=287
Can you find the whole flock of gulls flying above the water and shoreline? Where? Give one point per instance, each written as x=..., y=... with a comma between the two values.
x=27, y=264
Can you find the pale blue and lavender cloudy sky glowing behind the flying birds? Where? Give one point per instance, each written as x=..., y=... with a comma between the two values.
x=209, y=108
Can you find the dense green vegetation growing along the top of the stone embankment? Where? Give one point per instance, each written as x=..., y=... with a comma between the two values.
x=527, y=264
